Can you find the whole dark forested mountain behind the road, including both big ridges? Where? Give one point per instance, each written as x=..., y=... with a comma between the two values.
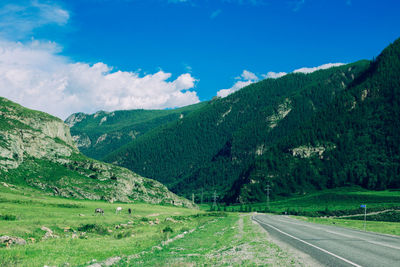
x=298, y=133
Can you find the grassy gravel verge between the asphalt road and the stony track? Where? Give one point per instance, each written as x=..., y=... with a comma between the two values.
x=233, y=240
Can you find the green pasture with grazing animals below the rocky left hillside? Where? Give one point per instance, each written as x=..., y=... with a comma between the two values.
x=24, y=211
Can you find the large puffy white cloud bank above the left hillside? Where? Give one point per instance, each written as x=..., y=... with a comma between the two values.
x=34, y=75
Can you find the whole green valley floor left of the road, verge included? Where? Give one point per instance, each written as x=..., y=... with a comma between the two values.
x=65, y=232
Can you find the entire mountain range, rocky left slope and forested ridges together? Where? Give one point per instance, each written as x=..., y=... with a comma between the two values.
x=295, y=134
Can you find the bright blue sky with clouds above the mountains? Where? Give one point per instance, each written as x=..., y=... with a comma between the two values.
x=191, y=48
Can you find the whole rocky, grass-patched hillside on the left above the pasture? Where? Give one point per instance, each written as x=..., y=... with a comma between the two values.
x=37, y=150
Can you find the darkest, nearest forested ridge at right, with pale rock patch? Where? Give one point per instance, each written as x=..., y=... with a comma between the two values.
x=355, y=140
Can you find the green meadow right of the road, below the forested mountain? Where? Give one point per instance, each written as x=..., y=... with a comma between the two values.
x=340, y=206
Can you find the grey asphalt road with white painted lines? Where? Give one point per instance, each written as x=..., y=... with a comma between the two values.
x=332, y=245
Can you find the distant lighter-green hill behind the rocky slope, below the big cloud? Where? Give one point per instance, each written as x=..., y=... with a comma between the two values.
x=98, y=134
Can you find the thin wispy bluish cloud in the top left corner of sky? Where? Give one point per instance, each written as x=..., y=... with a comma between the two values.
x=19, y=20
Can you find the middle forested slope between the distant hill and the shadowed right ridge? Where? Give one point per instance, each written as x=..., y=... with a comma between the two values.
x=214, y=146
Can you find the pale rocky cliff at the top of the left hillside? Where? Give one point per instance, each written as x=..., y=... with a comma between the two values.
x=27, y=133
